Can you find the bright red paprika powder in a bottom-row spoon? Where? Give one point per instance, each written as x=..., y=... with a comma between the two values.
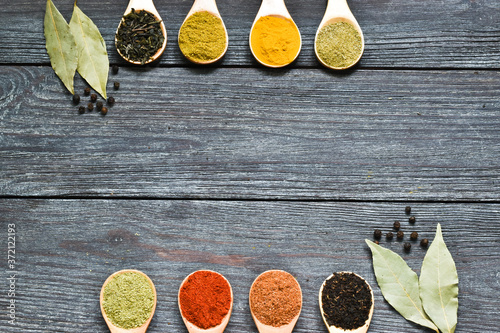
x=205, y=299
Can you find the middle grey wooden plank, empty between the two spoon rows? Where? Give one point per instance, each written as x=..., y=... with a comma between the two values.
x=242, y=133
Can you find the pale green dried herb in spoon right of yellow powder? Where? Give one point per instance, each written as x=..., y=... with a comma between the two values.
x=339, y=45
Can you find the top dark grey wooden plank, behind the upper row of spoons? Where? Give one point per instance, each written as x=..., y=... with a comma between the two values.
x=398, y=33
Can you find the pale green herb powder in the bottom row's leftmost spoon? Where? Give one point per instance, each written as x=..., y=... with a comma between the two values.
x=128, y=300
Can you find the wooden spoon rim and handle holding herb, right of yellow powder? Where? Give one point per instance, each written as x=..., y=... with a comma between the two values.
x=338, y=11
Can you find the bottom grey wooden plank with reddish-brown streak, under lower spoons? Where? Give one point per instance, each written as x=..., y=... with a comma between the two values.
x=66, y=248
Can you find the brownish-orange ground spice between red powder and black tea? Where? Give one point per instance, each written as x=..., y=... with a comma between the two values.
x=275, y=298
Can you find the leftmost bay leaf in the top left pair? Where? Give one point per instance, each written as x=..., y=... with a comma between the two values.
x=60, y=45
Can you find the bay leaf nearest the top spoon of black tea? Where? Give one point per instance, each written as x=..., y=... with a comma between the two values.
x=93, y=63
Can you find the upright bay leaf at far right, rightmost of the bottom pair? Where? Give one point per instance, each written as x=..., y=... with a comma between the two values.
x=439, y=285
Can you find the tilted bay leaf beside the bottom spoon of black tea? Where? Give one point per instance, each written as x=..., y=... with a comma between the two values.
x=399, y=285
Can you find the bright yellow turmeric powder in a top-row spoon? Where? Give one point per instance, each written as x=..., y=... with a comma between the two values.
x=275, y=41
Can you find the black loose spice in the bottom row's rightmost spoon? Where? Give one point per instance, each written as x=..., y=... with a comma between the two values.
x=346, y=301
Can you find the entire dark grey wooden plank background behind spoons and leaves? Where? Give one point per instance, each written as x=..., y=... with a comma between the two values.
x=239, y=168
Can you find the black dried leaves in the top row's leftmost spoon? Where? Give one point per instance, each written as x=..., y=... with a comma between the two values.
x=139, y=36
